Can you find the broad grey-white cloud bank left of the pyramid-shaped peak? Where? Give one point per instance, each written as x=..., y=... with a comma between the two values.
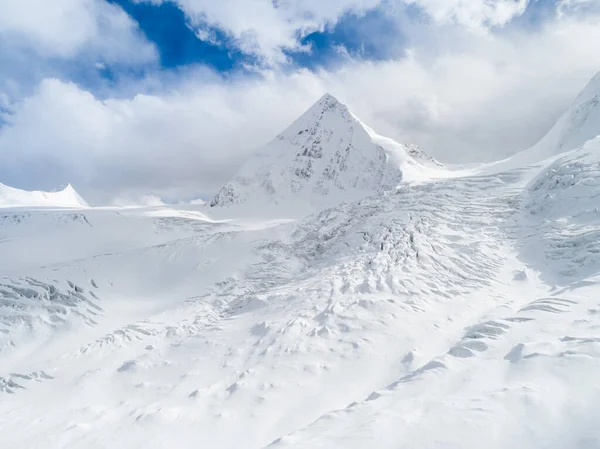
x=178, y=145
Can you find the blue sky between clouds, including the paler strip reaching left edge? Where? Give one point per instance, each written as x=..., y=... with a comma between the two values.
x=366, y=35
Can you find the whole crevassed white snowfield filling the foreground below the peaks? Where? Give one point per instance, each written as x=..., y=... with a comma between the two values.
x=457, y=312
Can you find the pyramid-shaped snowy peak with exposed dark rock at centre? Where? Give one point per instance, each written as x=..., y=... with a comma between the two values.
x=326, y=156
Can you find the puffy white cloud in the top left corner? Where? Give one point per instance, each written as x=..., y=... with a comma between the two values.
x=40, y=38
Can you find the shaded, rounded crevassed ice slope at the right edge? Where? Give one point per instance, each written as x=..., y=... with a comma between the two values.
x=563, y=203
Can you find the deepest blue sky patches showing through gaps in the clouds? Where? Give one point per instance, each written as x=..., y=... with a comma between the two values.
x=167, y=26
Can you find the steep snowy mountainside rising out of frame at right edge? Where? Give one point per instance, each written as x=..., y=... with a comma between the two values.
x=579, y=124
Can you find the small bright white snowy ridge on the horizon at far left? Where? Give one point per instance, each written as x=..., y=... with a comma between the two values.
x=67, y=198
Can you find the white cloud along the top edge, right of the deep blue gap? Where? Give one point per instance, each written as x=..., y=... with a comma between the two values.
x=264, y=28
